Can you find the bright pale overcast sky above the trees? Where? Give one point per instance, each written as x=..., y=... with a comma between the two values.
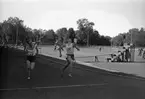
x=111, y=17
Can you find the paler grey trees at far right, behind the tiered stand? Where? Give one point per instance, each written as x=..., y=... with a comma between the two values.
x=133, y=36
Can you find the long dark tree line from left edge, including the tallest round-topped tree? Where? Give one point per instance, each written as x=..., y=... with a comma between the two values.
x=14, y=31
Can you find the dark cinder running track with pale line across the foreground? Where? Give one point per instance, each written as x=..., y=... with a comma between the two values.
x=46, y=82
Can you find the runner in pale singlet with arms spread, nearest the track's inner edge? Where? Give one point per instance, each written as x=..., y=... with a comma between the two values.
x=70, y=56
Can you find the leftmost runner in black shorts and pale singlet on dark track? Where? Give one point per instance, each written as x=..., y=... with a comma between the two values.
x=31, y=56
